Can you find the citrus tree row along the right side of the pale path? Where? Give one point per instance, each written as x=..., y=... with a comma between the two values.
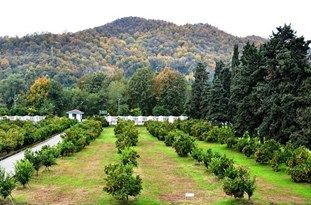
x=74, y=139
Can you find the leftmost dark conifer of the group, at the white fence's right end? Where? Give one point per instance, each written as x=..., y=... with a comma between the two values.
x=198, y=102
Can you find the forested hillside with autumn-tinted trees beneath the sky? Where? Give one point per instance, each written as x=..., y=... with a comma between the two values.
x=126, y=44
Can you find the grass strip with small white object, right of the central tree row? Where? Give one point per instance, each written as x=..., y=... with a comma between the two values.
x=168, y=177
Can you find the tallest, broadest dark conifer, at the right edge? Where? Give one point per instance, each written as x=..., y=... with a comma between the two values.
x=286, y=72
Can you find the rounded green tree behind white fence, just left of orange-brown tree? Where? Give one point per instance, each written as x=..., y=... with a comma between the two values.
x=141, y=90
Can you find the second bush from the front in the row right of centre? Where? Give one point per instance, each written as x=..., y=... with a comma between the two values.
x=219, y=165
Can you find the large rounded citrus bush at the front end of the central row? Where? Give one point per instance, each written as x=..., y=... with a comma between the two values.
x=120, y=182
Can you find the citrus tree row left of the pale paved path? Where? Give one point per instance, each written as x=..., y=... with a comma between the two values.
x=15, y=135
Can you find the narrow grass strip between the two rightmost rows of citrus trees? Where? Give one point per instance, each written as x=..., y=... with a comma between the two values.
x=276, y=187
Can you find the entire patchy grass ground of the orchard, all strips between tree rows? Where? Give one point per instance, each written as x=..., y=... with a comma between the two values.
x=166, y=178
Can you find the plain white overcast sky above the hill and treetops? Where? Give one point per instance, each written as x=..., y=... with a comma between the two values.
x=238, y=17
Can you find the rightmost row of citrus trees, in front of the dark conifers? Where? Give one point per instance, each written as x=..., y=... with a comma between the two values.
x=296, y=159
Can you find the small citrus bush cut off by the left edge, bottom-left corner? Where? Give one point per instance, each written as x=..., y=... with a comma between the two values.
x=7, y=183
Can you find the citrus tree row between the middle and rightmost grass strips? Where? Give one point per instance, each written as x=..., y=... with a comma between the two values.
x=236, y=180
